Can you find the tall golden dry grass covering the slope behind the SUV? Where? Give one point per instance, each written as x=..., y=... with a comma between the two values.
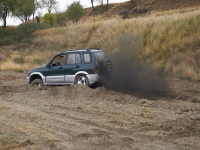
x=169, y=41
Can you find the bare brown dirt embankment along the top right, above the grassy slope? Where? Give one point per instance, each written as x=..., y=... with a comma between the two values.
x=113, y=11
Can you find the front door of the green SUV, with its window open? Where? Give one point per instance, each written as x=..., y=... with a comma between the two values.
x=55, y=71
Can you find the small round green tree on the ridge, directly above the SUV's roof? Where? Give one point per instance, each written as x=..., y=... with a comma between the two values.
x=75, y=11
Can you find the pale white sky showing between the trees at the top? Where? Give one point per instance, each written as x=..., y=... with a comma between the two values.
x=62, y=5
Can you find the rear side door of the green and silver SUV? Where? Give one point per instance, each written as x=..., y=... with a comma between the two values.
x=73, y=64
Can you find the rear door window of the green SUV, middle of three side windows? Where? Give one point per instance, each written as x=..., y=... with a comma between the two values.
x=73, y=58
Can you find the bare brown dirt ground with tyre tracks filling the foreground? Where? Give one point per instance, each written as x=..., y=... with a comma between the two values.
x=79, y=118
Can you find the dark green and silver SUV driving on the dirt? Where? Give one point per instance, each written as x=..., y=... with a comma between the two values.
x=85, y=66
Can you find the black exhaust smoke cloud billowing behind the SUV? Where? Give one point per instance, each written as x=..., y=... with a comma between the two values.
x=131, y=76
